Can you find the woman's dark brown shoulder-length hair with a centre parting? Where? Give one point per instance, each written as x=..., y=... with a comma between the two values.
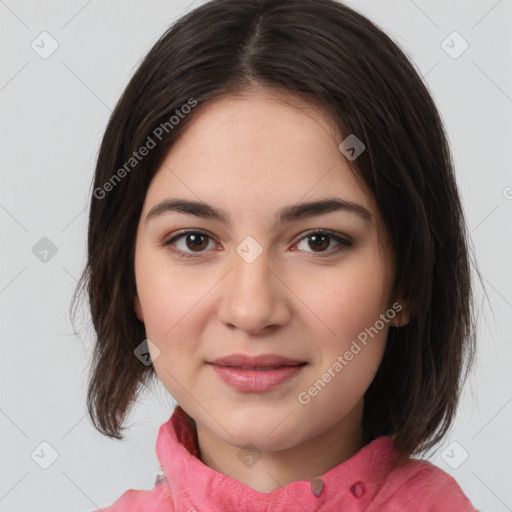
x=339, y=61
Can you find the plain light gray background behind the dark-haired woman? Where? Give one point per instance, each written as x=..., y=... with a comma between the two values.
x=53, y=113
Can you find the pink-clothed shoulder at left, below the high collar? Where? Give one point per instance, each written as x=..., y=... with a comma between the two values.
x=157, y=499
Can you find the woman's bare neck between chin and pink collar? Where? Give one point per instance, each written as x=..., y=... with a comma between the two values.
x=307, y=461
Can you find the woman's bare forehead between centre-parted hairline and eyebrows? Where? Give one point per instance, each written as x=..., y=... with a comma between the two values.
x=262, y=138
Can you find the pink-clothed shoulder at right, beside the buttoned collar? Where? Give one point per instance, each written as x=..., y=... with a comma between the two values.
x=419, y=486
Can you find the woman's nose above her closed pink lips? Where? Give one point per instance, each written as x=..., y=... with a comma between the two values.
x=254, y=297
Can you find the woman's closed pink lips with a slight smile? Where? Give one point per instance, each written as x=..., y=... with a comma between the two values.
x=256, y=373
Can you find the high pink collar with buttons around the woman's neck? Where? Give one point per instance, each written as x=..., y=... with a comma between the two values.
x=195, y=486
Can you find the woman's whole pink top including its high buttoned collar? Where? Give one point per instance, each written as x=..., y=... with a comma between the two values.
x=365, y=482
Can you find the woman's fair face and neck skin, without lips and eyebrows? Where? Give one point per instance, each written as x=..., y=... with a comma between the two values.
x=251, y=155
